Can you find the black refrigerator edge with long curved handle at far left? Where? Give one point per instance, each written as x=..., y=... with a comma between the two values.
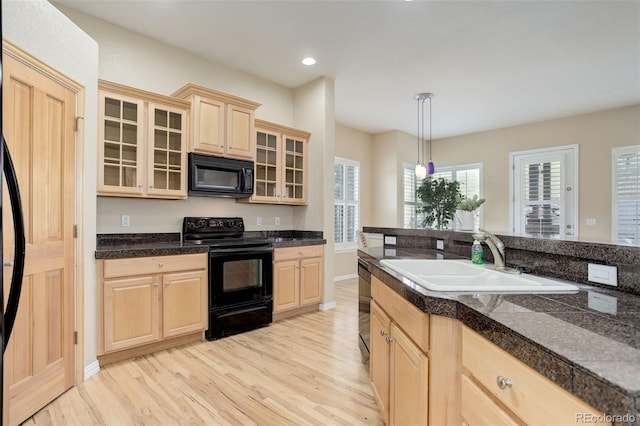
x=15, y=259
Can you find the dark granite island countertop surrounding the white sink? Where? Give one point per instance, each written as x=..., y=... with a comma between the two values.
x=587, y=342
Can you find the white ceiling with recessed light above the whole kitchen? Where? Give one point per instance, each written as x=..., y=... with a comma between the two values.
x=490, y=64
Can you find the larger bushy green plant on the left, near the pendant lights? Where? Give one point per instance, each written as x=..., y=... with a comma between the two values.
x=441, y=198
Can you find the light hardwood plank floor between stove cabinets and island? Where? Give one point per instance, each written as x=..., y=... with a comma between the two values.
x=304, y=370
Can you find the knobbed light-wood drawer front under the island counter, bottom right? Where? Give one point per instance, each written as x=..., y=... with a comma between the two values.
x=531, y=396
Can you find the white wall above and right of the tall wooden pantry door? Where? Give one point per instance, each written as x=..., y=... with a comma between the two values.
x=41, y=30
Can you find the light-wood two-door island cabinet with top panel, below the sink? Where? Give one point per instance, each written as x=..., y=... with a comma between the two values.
x=399, y=366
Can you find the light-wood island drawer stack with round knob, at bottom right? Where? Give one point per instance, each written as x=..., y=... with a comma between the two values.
x=499, y=389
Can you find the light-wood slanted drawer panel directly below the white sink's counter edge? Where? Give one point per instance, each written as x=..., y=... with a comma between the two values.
x=412, y=320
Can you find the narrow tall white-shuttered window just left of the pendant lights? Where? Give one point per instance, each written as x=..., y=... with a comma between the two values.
x=346, y=207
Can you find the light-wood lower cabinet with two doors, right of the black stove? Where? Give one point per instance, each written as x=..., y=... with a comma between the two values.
x=297, y=277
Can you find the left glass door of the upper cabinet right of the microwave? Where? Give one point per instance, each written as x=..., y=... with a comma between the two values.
x=266, y=165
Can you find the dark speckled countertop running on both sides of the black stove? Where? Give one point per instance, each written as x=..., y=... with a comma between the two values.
x=119, y=246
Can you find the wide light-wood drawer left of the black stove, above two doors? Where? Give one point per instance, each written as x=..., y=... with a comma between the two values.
x=153, y=265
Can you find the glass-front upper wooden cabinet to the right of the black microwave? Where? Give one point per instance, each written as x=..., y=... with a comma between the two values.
x=280, y=165
